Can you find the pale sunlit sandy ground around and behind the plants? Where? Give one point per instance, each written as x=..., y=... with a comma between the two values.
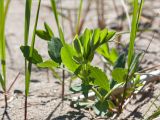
x=44, y=99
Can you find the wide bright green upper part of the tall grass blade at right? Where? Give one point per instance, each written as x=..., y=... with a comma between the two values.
x=135, y=19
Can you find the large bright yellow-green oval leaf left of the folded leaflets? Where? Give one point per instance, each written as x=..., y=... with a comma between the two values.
x=67, y=53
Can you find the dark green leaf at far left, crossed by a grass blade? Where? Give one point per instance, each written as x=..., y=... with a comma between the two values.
x=36, y=57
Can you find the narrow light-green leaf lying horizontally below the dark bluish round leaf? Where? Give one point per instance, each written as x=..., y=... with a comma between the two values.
x=48, y=64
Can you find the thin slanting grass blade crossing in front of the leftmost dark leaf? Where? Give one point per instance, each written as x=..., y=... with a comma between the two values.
x=28, y=74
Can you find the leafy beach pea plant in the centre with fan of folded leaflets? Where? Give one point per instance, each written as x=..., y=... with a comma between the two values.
x=77, y=58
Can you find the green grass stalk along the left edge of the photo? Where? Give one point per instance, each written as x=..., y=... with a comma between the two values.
x=3, y=79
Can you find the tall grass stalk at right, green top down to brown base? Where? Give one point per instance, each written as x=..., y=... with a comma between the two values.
x=132, y=56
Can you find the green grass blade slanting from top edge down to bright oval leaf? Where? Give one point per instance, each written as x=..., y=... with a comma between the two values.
x=54, y=9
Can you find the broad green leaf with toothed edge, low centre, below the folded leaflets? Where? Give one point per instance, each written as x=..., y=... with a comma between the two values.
x=99, y=78
